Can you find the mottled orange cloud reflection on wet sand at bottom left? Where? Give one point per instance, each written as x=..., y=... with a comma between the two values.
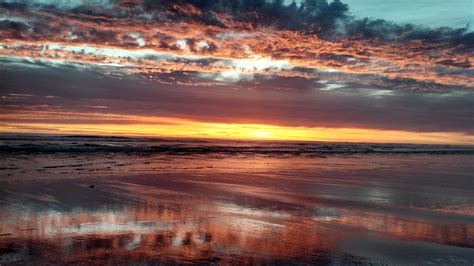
x=225, y=233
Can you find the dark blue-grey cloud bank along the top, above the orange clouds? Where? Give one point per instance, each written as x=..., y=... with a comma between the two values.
x=327, y=19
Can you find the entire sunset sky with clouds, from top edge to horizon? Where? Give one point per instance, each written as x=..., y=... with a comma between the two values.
x=315, y=70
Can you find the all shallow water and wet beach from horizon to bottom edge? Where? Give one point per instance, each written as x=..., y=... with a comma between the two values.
x=234, y=206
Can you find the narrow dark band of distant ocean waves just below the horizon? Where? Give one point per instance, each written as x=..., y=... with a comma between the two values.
x=99, y=144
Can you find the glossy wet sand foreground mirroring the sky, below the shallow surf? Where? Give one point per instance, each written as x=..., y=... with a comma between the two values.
x=334, y=216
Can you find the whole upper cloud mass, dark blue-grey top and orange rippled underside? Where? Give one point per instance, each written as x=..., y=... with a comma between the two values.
x=324, y=37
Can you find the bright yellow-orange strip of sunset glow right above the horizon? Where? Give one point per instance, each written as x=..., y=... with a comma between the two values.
x=127, y=125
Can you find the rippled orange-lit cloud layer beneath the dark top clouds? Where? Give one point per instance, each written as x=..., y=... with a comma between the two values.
x=110, y=40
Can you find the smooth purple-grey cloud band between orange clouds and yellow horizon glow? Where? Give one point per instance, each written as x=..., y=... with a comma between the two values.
x=278, y=101
